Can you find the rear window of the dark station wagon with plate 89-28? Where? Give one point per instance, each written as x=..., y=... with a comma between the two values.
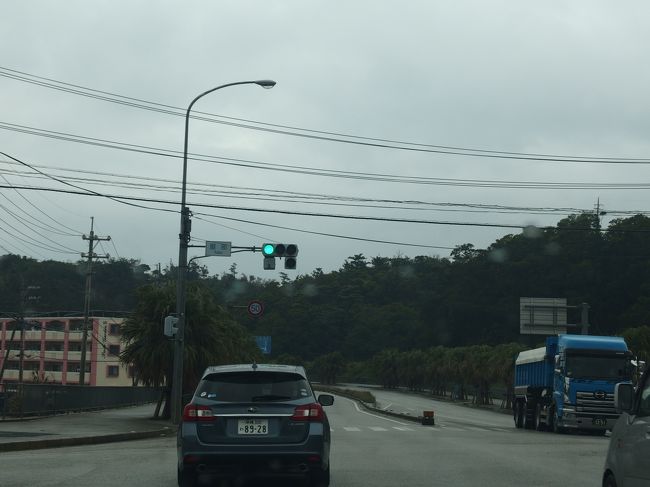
x=253, y=387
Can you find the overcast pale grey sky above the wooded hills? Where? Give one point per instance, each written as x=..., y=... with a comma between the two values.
x=396, y=113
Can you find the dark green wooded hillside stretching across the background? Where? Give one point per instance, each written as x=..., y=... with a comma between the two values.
x=460, y=309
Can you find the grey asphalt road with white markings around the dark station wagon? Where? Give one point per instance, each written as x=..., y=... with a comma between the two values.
x=368, y=450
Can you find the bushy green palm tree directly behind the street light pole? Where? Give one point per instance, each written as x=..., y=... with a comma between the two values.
x=211, y=338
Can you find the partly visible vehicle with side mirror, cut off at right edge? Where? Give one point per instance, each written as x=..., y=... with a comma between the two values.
x=627, y=463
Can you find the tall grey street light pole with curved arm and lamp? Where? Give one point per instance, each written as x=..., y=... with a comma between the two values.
x=184, y=240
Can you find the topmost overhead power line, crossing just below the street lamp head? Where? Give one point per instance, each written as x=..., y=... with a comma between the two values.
x=322, y=135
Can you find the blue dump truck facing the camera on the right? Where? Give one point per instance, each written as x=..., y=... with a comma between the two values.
x=569, y=383
